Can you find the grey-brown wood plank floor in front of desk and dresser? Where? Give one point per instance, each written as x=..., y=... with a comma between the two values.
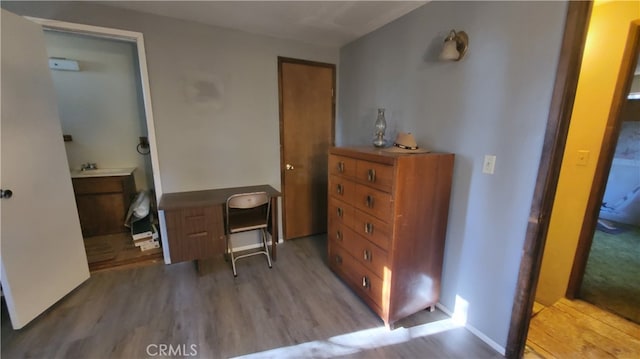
x=297, y=309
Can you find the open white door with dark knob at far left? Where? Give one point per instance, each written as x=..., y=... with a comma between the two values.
x=42, y=255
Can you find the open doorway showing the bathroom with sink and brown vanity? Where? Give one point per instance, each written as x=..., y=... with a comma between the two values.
x=102, y=113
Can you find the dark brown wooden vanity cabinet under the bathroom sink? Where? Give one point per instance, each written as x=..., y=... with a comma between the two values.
x=103, y=203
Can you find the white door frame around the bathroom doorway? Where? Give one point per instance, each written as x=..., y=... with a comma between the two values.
x=138, y=39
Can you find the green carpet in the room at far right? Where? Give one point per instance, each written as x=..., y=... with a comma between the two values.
x=612, y=277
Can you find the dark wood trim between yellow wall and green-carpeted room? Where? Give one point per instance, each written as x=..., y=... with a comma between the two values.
x=605, y=159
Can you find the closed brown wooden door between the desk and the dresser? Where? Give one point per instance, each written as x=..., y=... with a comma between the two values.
x=307, y=110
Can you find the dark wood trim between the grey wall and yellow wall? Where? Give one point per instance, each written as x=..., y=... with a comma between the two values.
x=575, y=31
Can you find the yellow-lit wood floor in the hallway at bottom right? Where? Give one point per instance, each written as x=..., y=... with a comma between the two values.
x=575, y=329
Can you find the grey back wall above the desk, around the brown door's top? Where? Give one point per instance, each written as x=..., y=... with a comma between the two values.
x=214, y=93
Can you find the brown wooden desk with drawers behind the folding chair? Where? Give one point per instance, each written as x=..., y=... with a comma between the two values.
x=195, y=224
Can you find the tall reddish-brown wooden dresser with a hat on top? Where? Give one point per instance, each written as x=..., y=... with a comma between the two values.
x=387, y=226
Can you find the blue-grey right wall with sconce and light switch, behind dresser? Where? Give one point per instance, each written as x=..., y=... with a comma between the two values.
x=495, y=101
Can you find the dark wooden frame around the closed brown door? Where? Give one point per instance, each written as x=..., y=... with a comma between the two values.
x=281, y=62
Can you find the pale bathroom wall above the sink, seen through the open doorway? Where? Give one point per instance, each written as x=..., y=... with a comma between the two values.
x=99, y=105
